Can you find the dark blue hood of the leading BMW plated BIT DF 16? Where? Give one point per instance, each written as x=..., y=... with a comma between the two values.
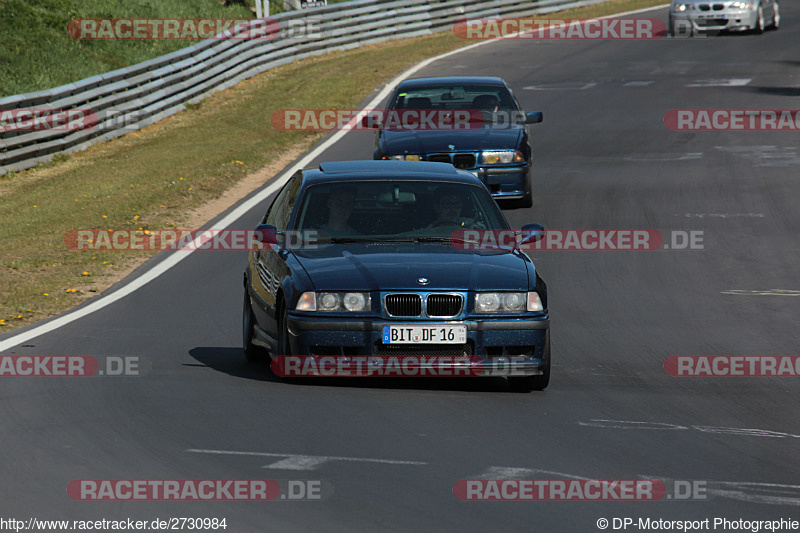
x=399, y=266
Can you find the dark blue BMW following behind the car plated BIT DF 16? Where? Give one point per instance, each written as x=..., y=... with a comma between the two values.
x=498, y=151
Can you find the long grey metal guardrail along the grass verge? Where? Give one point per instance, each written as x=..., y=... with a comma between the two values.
x=130, y=98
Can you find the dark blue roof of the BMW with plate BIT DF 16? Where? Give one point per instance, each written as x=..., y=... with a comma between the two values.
x=388, y=169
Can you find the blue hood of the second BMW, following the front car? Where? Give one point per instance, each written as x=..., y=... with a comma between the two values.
x=490, y=137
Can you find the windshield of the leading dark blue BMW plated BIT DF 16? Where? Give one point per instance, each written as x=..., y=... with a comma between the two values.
x=395, y=210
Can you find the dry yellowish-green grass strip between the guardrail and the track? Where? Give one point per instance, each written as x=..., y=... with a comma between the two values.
x=150, y=179
